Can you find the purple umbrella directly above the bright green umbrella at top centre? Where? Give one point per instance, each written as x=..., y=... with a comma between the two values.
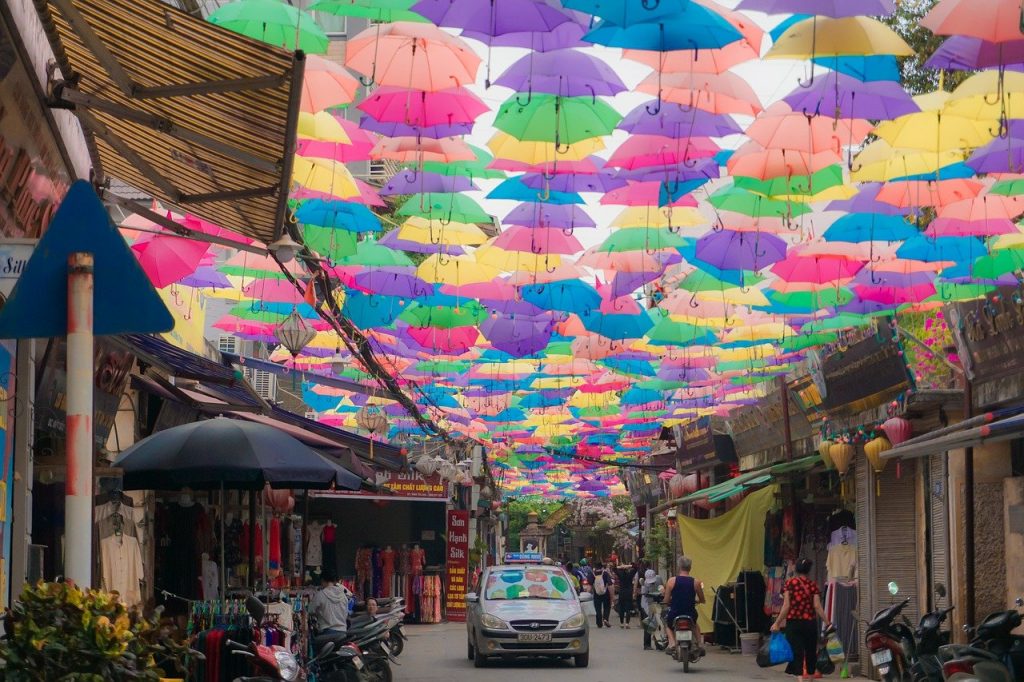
x=568, y=73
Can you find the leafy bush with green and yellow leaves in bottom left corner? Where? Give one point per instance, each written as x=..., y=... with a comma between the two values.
x=60, y=632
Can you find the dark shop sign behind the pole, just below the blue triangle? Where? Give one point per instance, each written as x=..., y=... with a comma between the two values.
x=113, y=365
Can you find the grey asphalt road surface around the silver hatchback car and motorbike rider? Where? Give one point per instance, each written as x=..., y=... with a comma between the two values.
x=439, y=653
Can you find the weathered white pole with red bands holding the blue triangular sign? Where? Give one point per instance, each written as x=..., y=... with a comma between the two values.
x=78, y=492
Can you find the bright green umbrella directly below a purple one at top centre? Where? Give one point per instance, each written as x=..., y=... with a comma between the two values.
x=556, y=119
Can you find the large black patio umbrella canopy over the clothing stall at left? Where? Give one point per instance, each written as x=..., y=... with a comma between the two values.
x=228, y=454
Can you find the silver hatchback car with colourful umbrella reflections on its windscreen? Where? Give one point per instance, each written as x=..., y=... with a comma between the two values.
x=527, y=611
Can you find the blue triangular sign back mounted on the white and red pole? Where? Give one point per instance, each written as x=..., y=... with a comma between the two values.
x=125, y=302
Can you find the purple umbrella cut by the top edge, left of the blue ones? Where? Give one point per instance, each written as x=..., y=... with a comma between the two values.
x=492, y=19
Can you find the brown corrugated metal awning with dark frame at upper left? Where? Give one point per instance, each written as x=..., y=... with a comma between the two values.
x=186, y=111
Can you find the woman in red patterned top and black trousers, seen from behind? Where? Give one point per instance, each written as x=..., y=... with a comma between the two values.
x=800, y=606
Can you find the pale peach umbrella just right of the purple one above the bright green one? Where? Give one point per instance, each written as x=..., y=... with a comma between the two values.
x=718, y=94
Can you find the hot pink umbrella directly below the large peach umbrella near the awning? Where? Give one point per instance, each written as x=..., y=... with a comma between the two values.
x=417, y=108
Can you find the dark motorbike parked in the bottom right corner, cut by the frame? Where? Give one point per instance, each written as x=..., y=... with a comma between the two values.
x=996, y=655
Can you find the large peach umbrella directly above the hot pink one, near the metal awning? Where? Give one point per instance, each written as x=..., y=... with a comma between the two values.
x=412, y=56
